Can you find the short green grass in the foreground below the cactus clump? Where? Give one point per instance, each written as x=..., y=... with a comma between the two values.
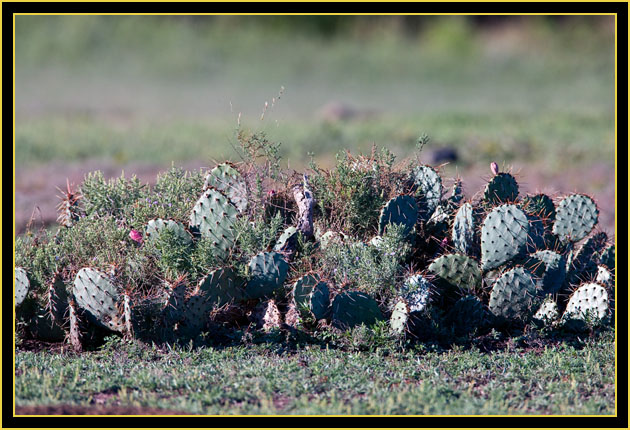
x=267, y=378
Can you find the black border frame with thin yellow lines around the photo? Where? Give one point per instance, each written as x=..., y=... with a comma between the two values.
x=621, y=9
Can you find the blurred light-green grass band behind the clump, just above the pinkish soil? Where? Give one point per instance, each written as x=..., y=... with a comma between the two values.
x=554, y=140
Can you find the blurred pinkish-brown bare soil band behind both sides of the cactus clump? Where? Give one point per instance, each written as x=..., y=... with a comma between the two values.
x=36, y=188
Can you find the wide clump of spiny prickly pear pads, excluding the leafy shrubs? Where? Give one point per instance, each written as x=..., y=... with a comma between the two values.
x=497, y=261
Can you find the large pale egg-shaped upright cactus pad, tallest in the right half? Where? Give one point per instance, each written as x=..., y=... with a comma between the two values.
x=504, y=236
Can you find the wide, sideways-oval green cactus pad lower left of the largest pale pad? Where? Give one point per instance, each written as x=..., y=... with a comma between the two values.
x=456, y=272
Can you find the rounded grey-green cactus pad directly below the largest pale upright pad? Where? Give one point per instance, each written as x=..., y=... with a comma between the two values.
x=514, y=296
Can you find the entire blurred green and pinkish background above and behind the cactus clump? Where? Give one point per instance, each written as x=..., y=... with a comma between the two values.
x=137, y=93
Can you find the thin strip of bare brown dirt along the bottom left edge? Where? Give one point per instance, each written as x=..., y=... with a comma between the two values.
x=93, y=410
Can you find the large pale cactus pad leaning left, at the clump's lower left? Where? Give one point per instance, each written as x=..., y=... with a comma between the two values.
x=98, y=296
